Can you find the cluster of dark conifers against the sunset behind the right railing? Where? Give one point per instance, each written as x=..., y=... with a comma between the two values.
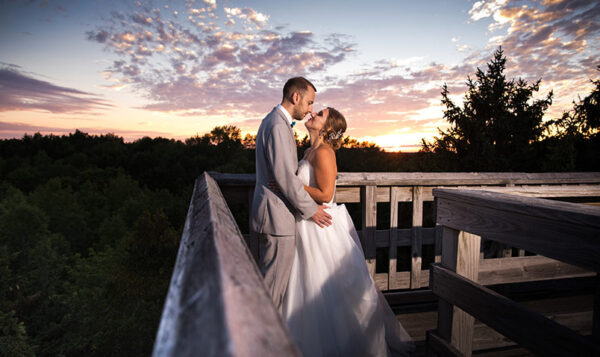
x=500, y=128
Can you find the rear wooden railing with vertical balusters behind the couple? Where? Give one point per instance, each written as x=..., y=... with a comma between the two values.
x=415, y=189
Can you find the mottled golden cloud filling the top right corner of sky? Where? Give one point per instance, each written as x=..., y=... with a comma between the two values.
x=550, y=40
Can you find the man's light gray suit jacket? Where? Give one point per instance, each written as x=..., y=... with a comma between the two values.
x=276, y=159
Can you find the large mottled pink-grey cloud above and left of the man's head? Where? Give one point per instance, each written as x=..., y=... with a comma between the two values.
x=194, y=63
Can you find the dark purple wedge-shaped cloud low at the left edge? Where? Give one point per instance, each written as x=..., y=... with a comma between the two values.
x=19, y=91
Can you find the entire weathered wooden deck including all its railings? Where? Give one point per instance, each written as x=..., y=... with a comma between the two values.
x=465, y=303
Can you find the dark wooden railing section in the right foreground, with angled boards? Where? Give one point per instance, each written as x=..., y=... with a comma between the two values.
x=563, y=231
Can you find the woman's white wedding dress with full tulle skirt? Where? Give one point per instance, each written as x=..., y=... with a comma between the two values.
x=332, y=306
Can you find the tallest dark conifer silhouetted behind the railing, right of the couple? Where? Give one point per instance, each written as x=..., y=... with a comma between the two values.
x=497, y=124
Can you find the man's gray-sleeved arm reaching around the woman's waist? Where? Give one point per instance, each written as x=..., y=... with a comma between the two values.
x=284, y=171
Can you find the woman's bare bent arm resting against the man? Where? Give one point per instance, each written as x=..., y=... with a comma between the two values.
x=325, y=170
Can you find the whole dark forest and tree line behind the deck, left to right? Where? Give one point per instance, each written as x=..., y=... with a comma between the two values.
x=90, y=225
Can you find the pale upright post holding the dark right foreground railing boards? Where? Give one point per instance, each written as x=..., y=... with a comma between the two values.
x=461, y=254
